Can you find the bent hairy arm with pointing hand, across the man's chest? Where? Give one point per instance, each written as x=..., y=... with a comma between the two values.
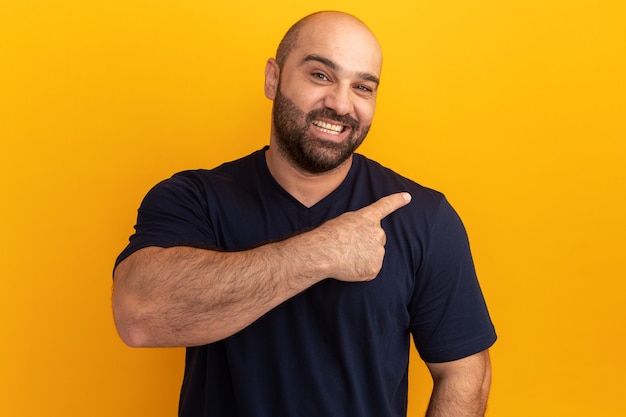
x=185, y=296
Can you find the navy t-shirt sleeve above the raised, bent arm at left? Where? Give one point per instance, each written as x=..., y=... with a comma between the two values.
x=173, y=213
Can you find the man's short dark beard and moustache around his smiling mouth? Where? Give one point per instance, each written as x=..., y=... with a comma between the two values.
x=306, y=151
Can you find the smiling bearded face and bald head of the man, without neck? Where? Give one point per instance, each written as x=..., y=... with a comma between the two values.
x=325, y=93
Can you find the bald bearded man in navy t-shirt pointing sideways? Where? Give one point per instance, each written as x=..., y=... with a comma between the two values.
x=296, y=275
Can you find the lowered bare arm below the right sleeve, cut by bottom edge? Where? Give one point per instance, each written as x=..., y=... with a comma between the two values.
x=461, y=387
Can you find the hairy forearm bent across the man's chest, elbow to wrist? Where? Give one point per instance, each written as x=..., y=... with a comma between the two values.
x=185, y=296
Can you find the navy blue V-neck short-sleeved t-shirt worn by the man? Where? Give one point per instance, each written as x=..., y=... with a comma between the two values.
x=338, y=348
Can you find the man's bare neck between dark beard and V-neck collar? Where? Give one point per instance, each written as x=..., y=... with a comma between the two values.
x=307, y=188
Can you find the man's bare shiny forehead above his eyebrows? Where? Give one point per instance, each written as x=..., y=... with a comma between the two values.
x=344, y=41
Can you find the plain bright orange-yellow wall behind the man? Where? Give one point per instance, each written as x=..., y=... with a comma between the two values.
x=514, y=109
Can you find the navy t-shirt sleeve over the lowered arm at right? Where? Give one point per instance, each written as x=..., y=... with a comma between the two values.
x=449, y=317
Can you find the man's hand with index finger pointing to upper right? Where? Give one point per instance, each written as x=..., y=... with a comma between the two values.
x=354, y=243
